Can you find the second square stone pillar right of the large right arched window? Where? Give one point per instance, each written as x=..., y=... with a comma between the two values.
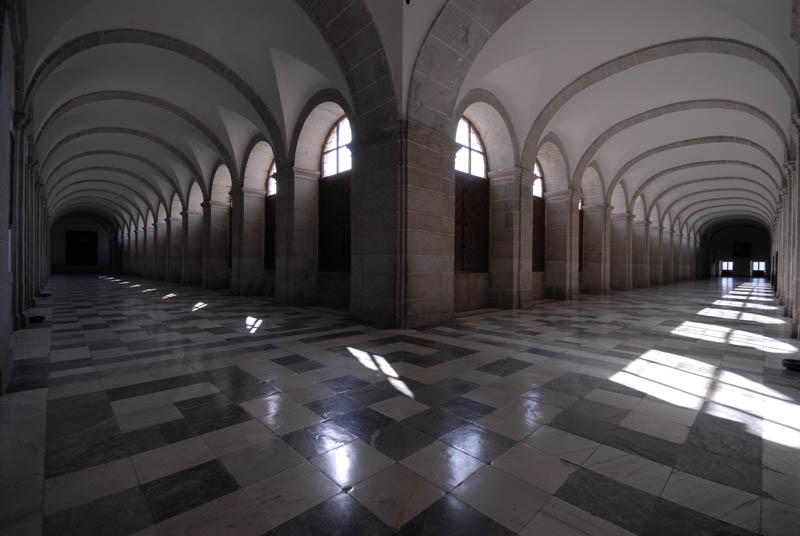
x=561, y=264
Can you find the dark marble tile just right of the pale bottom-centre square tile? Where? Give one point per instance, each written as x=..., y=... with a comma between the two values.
x=608, y=499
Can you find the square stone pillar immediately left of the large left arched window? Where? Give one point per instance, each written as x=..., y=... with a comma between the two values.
x=296, y=251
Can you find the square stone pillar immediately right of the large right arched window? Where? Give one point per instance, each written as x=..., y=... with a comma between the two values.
x=510, y=238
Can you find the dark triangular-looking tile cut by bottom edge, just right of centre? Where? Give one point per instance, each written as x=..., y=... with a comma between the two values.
x=448, y=516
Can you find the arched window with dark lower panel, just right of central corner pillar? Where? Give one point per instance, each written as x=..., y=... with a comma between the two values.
x=472, y=202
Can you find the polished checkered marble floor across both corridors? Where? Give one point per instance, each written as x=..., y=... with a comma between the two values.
x=143, y=408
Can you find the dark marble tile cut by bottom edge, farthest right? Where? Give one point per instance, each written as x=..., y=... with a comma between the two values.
x=668, y=518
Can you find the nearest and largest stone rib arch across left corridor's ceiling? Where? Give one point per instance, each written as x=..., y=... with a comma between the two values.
x=165, y=42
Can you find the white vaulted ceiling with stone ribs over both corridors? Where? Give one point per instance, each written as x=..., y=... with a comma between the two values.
x=677, y=111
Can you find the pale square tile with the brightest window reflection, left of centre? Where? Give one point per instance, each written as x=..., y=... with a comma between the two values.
x=351, y=463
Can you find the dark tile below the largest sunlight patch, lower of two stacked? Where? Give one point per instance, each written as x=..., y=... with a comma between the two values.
x=738, y=473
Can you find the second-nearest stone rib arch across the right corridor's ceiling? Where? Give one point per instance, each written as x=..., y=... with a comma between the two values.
x=702, y=104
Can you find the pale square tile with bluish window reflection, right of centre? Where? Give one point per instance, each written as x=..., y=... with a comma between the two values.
x=443, y=465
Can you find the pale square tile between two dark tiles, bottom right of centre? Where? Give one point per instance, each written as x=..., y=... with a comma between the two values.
x=502, y=497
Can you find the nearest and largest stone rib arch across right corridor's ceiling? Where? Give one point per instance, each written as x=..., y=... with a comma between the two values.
x=663, y=50
